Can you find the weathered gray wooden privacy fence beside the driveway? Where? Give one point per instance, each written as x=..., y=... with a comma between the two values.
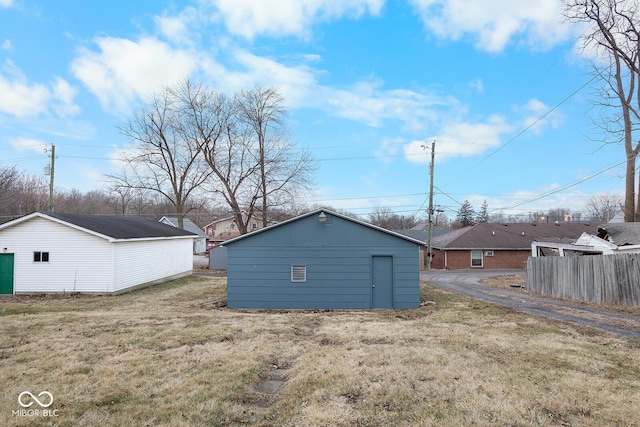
x=604, y=279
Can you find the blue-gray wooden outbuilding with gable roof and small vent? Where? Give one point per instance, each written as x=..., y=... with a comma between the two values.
x=323, y=260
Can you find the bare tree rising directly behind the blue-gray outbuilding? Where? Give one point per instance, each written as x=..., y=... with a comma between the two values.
x=254, y=165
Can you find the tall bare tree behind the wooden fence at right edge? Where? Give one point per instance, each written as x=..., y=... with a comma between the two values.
x=614, y=35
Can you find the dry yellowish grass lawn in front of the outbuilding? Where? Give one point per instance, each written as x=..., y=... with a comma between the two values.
x=168, y=356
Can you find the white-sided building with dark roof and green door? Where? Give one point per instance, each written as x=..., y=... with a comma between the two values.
x=58, y=252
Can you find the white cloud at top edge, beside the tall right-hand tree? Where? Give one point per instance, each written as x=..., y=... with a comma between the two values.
x=495, y=23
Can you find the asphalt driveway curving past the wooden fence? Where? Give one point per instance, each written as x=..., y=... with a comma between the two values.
x=468, y=282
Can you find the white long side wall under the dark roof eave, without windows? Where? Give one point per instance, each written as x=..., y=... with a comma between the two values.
x=139, y=262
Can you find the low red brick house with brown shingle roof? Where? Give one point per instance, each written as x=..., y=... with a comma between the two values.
x=498, y=245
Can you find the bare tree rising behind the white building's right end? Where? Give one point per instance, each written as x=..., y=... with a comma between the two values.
x=163, y=158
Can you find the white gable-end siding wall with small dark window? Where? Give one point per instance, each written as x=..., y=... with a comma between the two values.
x=78, y=262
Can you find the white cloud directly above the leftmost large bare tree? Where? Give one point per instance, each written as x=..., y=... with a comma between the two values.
x=123, y=70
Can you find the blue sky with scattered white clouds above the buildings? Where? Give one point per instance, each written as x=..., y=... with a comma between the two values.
x=496, y=84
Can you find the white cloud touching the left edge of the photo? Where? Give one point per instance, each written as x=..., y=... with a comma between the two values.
x=22, y=99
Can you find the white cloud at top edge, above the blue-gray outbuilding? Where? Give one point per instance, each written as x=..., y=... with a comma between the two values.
x=249, y=18
